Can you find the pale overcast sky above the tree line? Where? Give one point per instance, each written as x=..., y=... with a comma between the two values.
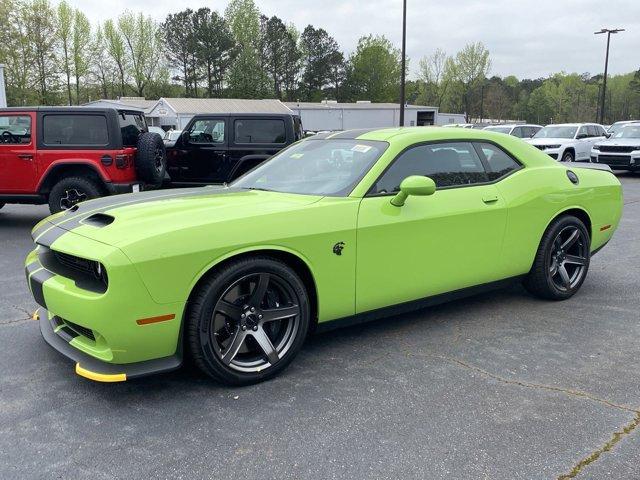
x=526, y=38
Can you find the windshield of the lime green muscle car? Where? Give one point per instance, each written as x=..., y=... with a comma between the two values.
x=315, y=167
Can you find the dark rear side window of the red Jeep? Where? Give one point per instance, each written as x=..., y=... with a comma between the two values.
x=75, y=130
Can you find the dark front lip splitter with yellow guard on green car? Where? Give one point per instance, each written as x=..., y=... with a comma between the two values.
x=59, y=336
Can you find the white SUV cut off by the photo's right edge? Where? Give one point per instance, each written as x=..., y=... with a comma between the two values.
x=621, y=151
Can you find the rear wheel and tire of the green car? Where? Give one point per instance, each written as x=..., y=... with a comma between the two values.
x=562, y=260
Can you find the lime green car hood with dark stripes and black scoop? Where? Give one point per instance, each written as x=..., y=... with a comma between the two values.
x=125, y=219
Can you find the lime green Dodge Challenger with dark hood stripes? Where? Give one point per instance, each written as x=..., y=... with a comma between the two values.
x=337, y=228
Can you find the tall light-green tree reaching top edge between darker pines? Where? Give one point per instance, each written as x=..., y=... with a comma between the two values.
x=246, y=75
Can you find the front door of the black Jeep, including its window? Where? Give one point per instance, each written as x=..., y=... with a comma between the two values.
x=202, y=157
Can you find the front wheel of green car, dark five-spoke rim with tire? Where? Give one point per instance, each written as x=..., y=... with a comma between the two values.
x=237, y=315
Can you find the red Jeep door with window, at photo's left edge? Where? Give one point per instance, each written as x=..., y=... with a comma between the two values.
x=18, y=167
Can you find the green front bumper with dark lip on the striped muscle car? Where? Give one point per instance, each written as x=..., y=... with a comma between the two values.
x=109, y=328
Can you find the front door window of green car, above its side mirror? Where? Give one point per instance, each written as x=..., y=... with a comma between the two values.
x=448, y=164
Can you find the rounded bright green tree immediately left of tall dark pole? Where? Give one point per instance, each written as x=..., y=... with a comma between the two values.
x=374, y=72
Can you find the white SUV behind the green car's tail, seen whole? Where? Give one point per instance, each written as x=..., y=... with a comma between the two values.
x=569, y=142
